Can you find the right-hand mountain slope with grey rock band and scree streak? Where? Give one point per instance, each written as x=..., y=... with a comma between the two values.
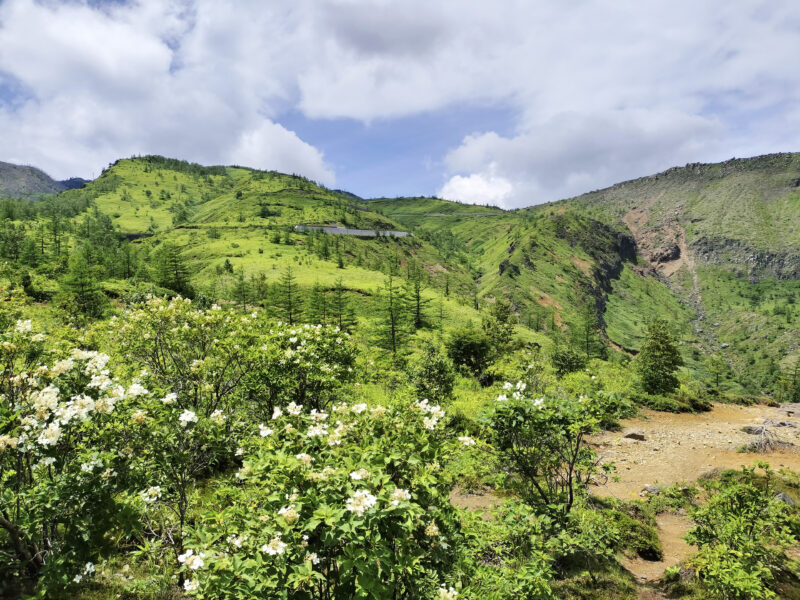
x=745, y=208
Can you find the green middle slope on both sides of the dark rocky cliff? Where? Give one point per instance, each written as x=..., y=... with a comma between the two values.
x=554, y=252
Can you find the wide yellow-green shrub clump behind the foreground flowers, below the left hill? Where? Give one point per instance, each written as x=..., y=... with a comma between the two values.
x=213, y=359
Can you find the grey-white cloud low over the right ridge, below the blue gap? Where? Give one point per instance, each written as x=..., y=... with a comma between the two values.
x=574, y=153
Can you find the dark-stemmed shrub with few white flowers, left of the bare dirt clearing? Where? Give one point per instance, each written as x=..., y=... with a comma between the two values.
x=541, y=442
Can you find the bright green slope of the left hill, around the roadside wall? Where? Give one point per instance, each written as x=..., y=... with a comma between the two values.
x=222, y=222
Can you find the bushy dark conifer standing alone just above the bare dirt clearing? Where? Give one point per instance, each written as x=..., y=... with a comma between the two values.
x=659, y=359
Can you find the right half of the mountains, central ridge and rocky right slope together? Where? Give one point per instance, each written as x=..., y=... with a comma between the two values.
x=712, y=248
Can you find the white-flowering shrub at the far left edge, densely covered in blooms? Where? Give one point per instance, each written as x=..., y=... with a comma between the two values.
x=62, y=457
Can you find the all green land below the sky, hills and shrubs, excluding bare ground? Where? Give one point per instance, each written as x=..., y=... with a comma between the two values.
x=201, y=400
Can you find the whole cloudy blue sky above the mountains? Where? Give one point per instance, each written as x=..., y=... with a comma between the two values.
x=509, y=102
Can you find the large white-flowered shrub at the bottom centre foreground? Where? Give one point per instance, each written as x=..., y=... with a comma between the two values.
x=342, y=505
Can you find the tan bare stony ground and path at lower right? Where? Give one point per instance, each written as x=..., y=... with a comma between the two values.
x=660, y=449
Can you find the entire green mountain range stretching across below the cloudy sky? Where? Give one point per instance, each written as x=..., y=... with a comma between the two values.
x=712, y=249
